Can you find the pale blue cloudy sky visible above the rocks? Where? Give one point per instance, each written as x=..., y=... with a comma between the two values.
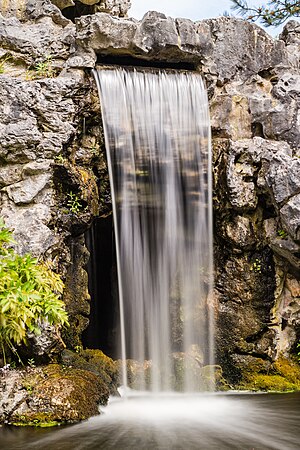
x=190, y=9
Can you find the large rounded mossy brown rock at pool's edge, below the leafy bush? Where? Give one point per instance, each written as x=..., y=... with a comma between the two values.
x=55, y=394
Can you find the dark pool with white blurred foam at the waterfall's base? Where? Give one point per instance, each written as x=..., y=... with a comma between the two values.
x=211, y=421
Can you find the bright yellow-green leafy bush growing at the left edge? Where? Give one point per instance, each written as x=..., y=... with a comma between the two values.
x=29, y=294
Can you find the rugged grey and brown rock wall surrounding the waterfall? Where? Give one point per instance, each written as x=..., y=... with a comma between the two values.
x=53, y=175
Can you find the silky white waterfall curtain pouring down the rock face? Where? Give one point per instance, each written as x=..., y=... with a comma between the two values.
x=157, y=136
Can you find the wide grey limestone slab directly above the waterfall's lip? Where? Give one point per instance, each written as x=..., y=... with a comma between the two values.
x=156, y=36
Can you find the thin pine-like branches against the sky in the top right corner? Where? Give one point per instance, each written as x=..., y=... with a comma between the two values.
x=273, y=13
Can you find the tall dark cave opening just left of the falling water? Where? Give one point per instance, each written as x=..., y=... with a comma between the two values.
x=103, y=288
